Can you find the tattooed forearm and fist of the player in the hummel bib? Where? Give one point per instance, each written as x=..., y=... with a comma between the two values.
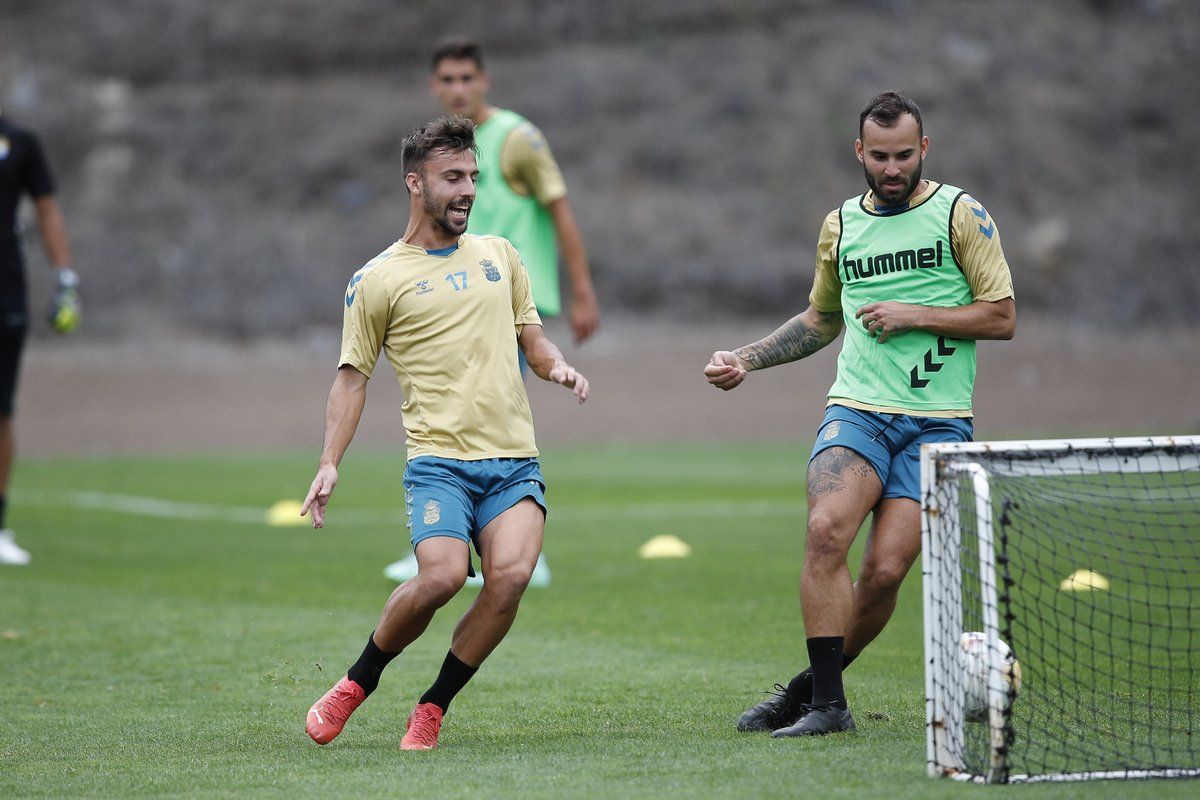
x=797, y=339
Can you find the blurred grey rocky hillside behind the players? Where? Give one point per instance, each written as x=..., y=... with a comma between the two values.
x=226, y=165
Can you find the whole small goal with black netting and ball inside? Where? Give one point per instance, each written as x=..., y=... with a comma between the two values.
x=1063, y=609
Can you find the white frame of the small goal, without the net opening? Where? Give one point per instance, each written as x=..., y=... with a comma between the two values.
x=941, y=540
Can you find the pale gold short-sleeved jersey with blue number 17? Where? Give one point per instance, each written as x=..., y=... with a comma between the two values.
x=449, y=322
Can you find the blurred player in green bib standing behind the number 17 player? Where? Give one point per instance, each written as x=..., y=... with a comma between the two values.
x=521, y=196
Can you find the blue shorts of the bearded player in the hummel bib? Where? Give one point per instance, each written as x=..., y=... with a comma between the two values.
x=891, y=443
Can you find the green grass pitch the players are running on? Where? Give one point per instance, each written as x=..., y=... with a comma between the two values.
x=152, y=657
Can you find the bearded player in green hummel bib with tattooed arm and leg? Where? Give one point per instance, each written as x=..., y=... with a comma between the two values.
x=915, y=273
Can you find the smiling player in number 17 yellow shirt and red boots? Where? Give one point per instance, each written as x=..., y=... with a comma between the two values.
x=449, y=310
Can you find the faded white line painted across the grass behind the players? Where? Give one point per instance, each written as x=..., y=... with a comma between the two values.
x=145, y=507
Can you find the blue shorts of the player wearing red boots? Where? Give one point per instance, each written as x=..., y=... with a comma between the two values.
x=447, y=497
